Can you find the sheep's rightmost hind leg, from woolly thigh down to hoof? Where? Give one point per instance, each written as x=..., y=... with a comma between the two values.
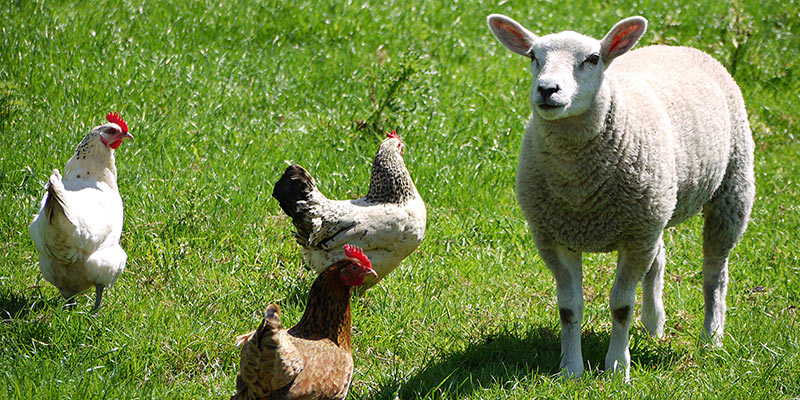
x=725, y=220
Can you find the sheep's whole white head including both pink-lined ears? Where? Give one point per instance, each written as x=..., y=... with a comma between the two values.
x=567, y=67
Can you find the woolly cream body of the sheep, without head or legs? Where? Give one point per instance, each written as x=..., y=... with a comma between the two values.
x=673, y=127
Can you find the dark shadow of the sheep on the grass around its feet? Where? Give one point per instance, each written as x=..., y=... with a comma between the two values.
x=501, y=357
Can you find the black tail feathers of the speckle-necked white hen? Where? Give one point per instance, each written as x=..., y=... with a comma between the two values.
x=294, y=190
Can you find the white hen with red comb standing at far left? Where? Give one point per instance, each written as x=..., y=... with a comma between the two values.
x=79, y=223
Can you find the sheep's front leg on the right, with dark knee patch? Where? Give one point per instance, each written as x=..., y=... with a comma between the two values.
x=631, y=267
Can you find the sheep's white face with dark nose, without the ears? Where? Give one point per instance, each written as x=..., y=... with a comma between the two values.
x=567, y=71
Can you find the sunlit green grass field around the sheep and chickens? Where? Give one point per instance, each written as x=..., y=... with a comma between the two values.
x=221, y=97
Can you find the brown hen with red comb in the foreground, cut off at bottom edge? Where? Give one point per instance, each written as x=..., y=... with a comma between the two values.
x=313, y=359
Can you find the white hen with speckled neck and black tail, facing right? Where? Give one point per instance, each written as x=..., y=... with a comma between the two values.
x=388, y=223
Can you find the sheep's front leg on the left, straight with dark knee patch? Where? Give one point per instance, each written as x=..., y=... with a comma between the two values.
x=566, y=268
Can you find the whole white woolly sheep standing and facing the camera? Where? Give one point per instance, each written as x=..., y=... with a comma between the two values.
x=615, y=153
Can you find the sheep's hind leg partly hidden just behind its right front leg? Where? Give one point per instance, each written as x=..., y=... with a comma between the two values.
x=653, y=315
